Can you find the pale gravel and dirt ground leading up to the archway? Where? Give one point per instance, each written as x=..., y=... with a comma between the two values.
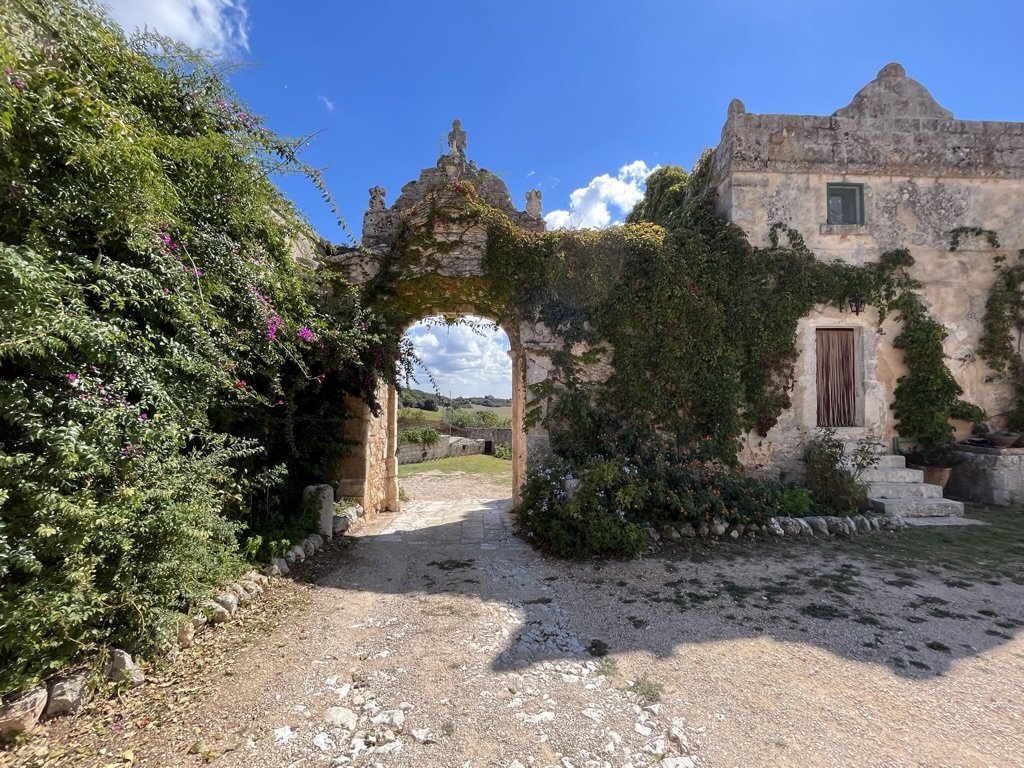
x=437, y=637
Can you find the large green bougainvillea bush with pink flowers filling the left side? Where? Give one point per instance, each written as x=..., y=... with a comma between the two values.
x=169, y=375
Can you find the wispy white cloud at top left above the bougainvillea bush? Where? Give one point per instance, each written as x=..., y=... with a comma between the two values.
x=218, y=26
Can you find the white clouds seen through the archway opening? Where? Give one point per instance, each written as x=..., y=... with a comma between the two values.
x=463, y=362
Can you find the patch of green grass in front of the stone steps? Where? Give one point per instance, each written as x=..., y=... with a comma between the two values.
x=997, y=549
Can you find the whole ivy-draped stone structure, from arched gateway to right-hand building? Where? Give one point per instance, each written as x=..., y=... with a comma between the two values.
x=889, y=174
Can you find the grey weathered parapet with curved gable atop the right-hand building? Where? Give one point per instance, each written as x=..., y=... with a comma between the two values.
x=893, y=126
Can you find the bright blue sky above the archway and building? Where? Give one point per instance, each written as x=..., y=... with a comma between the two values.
x=576, y=99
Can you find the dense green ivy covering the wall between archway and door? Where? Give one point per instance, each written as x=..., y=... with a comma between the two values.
x=699, y=327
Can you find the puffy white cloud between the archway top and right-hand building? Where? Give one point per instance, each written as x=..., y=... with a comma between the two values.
x=592, y=206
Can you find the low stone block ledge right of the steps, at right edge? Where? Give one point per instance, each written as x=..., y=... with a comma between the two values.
x=989, y=476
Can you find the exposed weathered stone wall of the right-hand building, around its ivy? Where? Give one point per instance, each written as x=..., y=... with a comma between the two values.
x=924, y=175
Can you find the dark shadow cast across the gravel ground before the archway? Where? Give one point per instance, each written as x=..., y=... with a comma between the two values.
x=917, y=620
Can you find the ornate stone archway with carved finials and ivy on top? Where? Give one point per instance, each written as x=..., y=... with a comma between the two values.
x=424, y=257
